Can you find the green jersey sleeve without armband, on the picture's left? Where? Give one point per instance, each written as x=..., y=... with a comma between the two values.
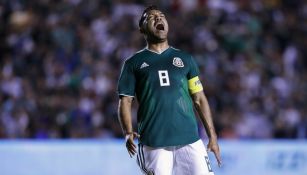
x=126, y=82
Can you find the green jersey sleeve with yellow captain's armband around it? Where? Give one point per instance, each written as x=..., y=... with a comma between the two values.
x=194, y=82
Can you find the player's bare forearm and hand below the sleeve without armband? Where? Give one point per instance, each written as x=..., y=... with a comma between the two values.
x=125, y=120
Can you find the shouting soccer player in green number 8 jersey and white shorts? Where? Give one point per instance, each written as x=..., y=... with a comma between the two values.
x=166, y=84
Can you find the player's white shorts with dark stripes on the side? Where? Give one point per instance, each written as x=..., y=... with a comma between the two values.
x=190, y=159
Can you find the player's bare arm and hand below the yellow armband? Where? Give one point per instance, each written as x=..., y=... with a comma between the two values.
x=203, y=110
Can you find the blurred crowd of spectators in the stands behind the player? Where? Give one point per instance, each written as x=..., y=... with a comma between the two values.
x=60, y=61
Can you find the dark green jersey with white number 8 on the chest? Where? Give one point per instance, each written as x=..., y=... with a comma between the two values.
x=160, y=83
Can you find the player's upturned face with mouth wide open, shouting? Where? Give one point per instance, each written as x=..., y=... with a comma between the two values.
x=155, y=25
